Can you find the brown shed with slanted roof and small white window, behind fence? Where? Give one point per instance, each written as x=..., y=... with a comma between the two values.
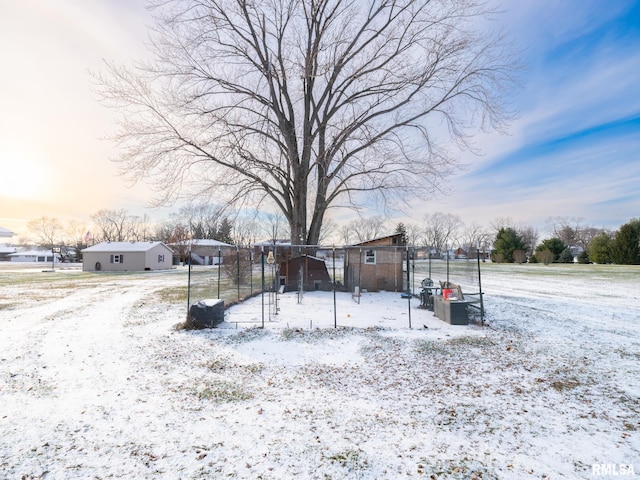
x=375, y=264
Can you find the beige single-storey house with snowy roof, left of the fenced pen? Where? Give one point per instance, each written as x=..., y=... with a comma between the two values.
x=127, y=257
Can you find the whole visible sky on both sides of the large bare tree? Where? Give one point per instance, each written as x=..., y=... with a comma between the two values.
x=573, y=151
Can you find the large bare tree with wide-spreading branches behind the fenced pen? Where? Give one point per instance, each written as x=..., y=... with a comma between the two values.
x=307, y=104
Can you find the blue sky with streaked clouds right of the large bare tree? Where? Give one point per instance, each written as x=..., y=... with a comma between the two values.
x=574, y=149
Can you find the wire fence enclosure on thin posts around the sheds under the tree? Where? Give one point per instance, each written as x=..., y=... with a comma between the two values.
x=237, y=273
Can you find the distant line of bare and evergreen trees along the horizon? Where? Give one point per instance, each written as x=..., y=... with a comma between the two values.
x=505, y=239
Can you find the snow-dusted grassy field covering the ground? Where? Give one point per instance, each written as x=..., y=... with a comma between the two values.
x=95, y=382
